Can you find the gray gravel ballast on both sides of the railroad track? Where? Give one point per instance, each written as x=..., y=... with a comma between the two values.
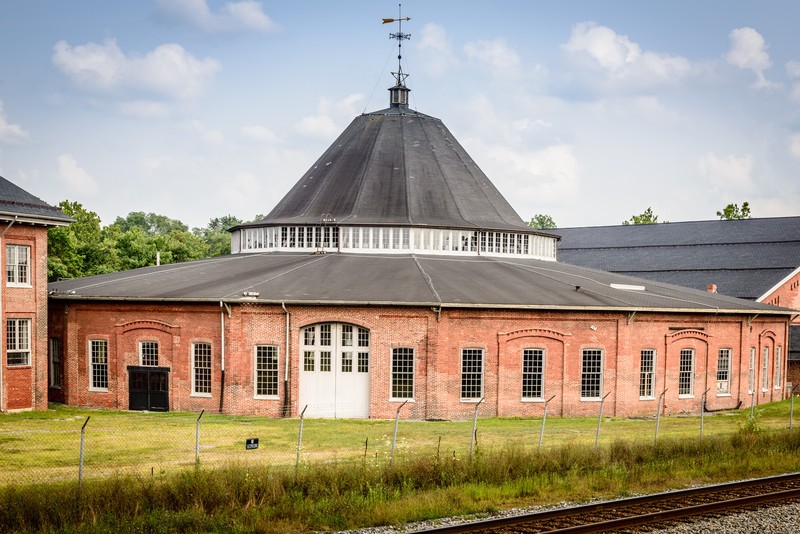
x=780, y=519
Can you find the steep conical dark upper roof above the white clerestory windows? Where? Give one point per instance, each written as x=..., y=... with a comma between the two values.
x=396, y=167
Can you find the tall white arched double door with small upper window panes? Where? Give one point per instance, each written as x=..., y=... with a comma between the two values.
x=334, y=371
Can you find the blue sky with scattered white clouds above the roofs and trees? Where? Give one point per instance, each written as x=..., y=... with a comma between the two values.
x=587, y=111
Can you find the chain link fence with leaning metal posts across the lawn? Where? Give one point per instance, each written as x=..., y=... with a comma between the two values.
x=68, y=443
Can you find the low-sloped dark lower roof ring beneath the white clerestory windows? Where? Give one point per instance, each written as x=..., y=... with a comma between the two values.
x=405, y=280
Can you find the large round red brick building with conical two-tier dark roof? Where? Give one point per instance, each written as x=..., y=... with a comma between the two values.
x=394, y=272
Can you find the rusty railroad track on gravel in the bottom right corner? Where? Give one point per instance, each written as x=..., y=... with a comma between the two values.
x=652, y=510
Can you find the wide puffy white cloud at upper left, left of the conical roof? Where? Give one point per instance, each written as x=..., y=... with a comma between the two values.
x=168, y=70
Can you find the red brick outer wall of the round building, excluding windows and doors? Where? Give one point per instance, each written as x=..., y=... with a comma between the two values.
x=437, y=338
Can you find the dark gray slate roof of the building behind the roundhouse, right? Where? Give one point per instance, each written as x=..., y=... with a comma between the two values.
x=744, y=258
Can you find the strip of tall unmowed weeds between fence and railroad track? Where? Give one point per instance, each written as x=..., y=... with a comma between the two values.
x=244, y=498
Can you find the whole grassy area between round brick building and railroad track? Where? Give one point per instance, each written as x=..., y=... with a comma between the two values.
x=139, y=473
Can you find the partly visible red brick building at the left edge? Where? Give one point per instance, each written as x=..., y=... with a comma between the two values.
x=24, y=220
